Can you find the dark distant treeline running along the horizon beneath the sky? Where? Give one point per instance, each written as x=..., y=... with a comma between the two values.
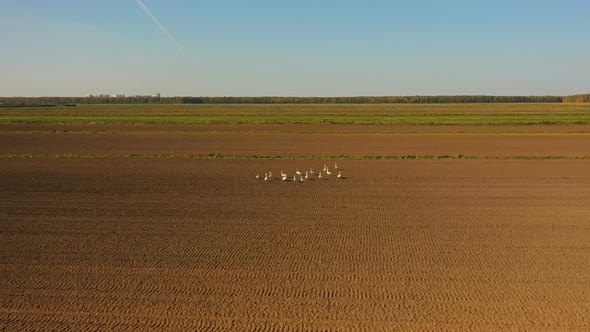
x=36, y=101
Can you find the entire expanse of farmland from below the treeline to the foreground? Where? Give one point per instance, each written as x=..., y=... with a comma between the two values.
x=163, y=226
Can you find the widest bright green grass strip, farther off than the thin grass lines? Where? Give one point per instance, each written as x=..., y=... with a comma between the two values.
x=305, y=119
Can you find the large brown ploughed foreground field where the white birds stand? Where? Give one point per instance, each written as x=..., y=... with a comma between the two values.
x=122, y=244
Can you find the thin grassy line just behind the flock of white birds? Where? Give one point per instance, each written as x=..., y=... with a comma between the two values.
x=255, y=157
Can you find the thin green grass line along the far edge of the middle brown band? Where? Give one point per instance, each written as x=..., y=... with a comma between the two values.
x=303, y=132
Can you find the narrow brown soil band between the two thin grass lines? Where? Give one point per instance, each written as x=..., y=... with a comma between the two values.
x=298, y=144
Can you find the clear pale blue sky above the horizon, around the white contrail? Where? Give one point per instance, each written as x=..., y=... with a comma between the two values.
x=295, y=47
